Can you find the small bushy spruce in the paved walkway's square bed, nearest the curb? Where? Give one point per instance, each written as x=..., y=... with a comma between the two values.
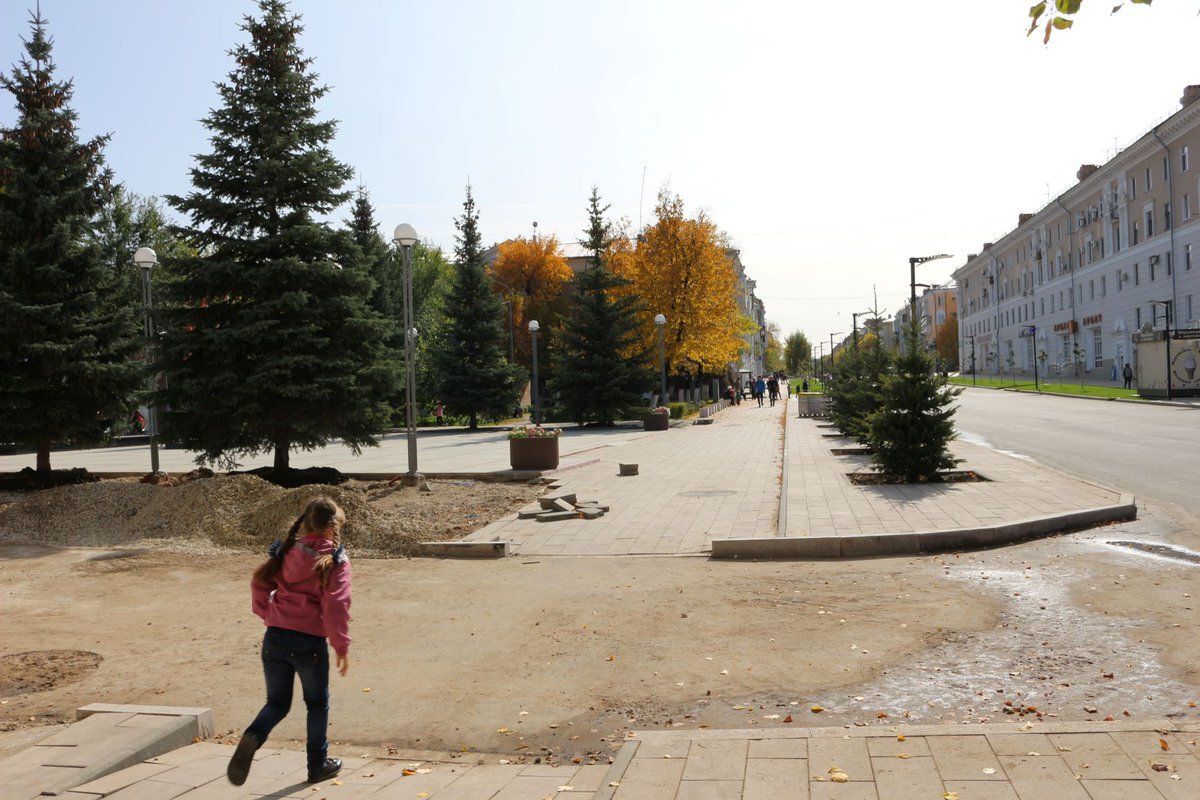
x=911, y=434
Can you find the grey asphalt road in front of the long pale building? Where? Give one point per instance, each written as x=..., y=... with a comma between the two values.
x=1148, y=450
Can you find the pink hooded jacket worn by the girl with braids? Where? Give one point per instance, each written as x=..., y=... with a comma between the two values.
x=298, y=603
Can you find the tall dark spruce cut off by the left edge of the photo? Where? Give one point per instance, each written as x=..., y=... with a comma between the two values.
x=68, y=345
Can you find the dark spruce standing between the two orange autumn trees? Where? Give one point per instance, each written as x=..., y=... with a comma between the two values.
x=602, y=365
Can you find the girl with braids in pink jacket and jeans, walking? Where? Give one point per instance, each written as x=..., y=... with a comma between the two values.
x=303, y=593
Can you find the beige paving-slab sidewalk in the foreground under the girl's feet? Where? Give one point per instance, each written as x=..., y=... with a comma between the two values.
x=1154, y=760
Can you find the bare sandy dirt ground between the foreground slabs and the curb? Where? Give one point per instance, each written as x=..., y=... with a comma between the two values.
x=561, y=659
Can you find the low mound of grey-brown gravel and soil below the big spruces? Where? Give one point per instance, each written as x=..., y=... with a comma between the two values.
x=244, y=513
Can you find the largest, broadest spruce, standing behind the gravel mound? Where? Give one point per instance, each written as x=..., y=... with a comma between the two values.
x=277, y=346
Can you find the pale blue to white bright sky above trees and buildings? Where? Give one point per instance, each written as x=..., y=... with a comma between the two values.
x=832, y=141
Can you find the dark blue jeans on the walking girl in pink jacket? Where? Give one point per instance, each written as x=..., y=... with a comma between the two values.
x=287, y=654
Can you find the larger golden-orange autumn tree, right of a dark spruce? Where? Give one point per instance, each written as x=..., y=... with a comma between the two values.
x=680, y=268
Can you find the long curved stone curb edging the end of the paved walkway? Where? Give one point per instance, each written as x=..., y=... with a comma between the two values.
x=909, y=544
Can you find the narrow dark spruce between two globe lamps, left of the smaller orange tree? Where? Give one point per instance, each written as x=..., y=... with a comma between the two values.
x=473, y=377
